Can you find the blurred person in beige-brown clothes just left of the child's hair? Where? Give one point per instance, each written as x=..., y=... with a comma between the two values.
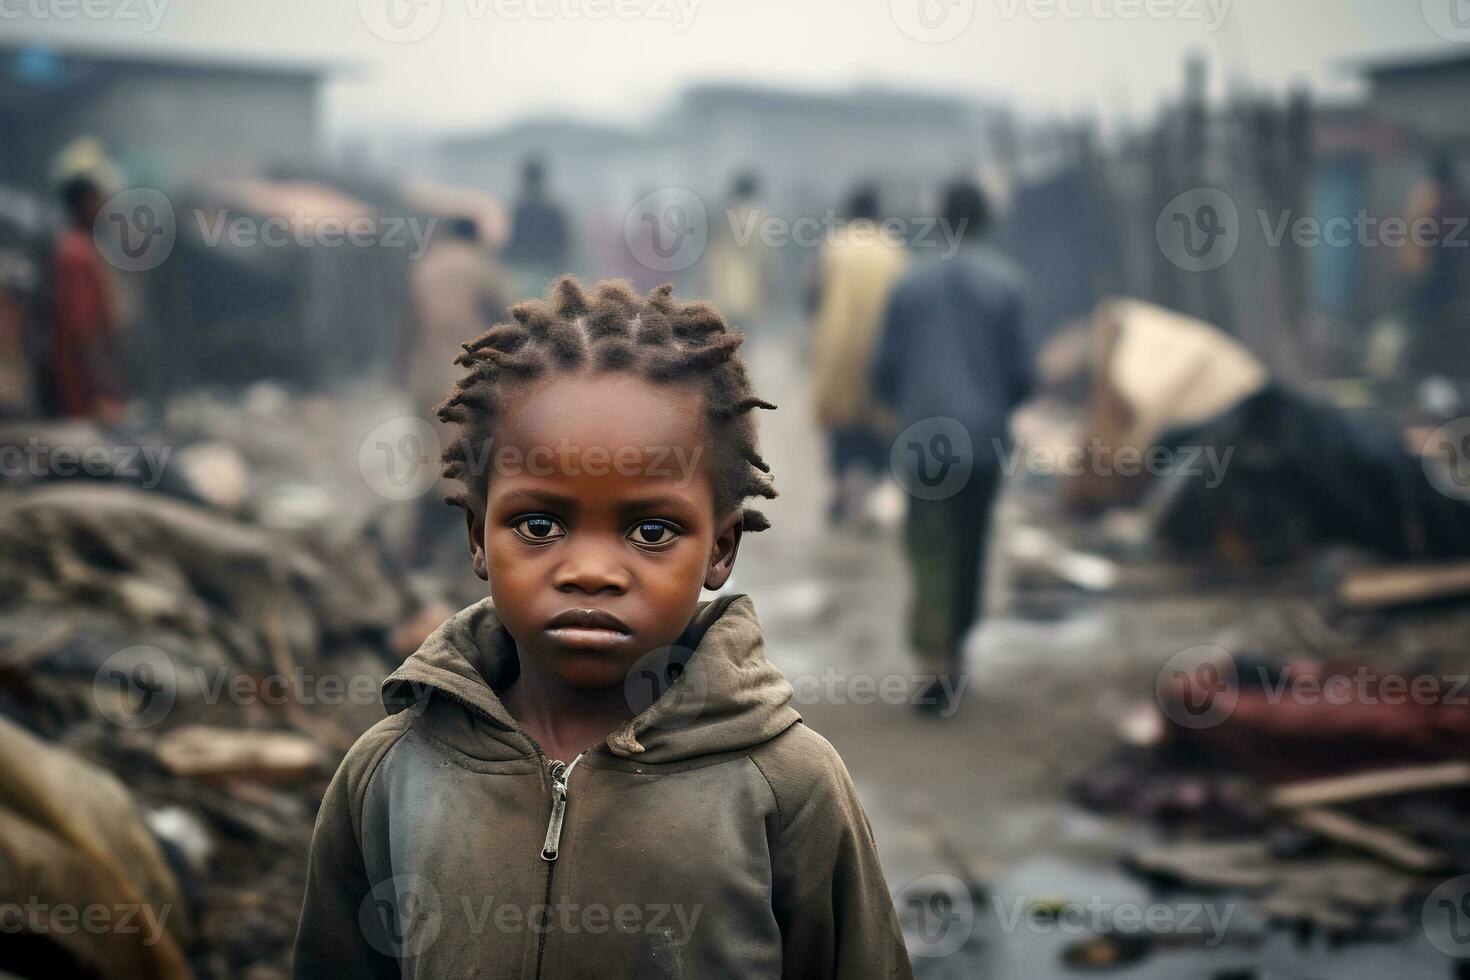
x=458, y=292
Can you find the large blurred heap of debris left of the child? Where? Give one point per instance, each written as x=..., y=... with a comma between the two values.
x=179, y=681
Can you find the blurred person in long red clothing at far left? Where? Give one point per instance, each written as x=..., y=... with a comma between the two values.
x=86, y=356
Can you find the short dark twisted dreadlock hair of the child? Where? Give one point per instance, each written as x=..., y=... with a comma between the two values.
x=615, y=330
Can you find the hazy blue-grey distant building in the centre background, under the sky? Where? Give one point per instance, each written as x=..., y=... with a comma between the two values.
x=806, y=152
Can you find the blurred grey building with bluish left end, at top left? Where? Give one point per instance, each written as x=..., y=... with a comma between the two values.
x=162, y=118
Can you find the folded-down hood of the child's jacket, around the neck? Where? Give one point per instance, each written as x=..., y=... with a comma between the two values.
x=714, y=691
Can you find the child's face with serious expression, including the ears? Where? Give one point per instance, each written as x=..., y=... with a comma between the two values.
x=600, y=524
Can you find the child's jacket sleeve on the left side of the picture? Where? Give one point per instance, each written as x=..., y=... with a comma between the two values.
x=333, y=938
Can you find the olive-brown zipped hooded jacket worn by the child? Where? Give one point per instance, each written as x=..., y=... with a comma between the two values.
x=714, y=835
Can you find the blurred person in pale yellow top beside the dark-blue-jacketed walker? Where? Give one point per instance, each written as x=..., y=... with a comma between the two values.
x=855, y=275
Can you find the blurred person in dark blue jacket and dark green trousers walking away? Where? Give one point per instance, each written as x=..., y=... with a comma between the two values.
x=953, y=353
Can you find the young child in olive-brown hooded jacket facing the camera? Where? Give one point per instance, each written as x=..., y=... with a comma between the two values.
x=593, y=774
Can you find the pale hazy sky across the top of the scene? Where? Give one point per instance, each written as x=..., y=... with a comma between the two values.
x=487, y=61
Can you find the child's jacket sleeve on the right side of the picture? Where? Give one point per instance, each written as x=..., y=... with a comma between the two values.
x=831, y=901
